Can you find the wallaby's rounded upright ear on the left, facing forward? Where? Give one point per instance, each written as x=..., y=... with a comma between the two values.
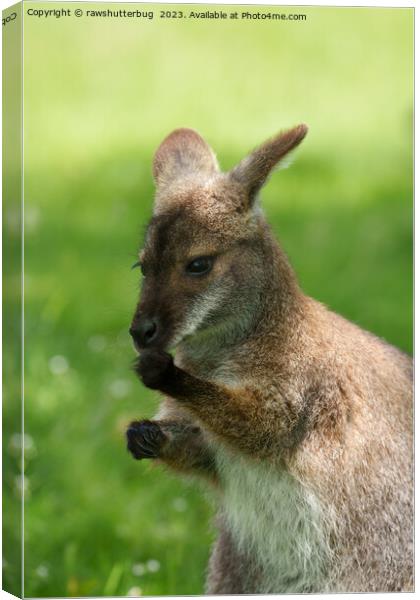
x=183, y=152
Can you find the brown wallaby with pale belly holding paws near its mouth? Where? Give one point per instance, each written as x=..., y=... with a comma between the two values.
x=300, y=420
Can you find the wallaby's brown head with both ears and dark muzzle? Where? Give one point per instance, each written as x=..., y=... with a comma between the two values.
x=204, y=259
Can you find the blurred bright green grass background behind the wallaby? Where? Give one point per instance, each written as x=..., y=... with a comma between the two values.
x=100, y=94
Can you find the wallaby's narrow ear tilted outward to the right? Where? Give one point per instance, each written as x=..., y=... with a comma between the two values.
x=253, y=171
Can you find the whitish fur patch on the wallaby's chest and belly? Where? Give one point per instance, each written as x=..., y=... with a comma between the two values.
x=273, y=517
